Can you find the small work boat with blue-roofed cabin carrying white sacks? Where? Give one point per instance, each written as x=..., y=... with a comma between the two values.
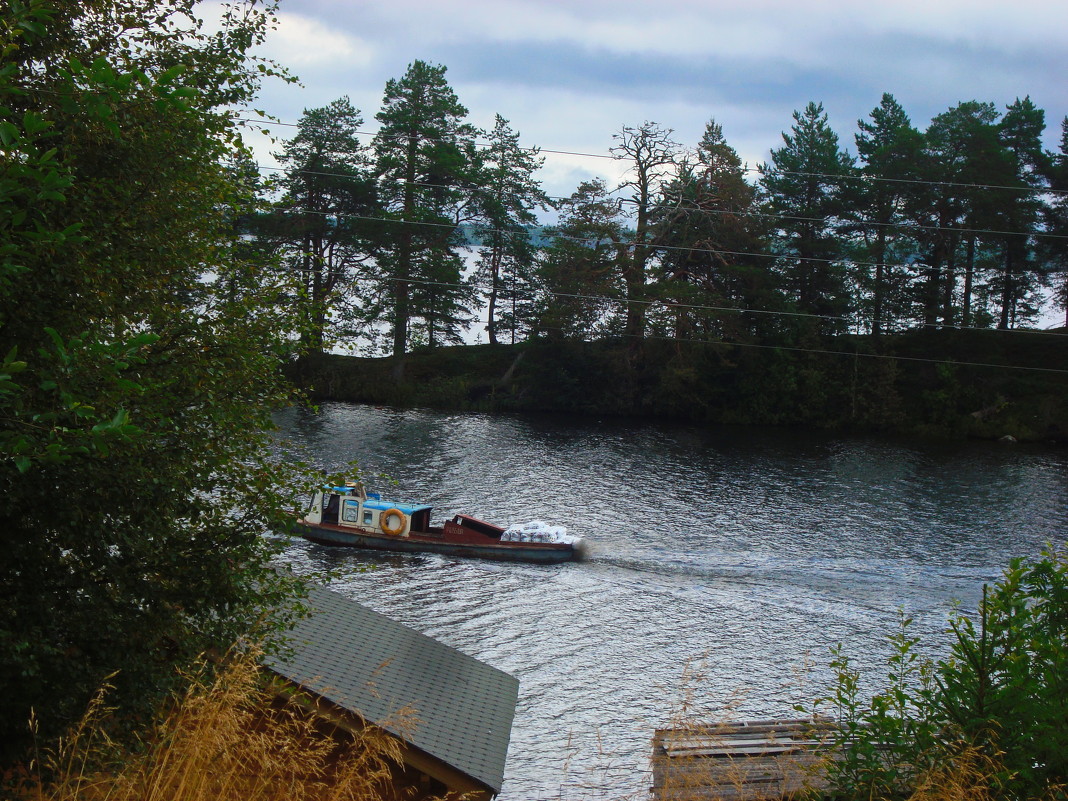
x=352, y=516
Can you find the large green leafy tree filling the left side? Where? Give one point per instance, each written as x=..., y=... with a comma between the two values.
x=137, y=384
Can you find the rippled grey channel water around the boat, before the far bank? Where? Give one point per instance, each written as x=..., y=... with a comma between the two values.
x=724, y=566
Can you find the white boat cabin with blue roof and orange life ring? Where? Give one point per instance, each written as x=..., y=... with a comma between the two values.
x=353, y=507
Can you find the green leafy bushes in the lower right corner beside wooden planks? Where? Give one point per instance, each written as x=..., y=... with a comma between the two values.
x=1001, y=696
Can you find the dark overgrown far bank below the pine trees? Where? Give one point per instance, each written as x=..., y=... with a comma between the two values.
x=851, y=384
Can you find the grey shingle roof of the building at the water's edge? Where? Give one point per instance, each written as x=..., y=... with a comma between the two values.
x=370, y=665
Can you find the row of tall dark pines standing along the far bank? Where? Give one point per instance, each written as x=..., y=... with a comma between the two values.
x=962, y=225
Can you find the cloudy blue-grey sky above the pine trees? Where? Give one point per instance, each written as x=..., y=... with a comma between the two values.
x=569, y=75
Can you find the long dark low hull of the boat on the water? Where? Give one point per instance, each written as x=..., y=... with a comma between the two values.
x=546, y=554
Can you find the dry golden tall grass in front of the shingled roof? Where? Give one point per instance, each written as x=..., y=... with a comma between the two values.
x=228, y=739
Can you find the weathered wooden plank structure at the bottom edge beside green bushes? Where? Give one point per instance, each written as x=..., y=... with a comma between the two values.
x=753, y=761
